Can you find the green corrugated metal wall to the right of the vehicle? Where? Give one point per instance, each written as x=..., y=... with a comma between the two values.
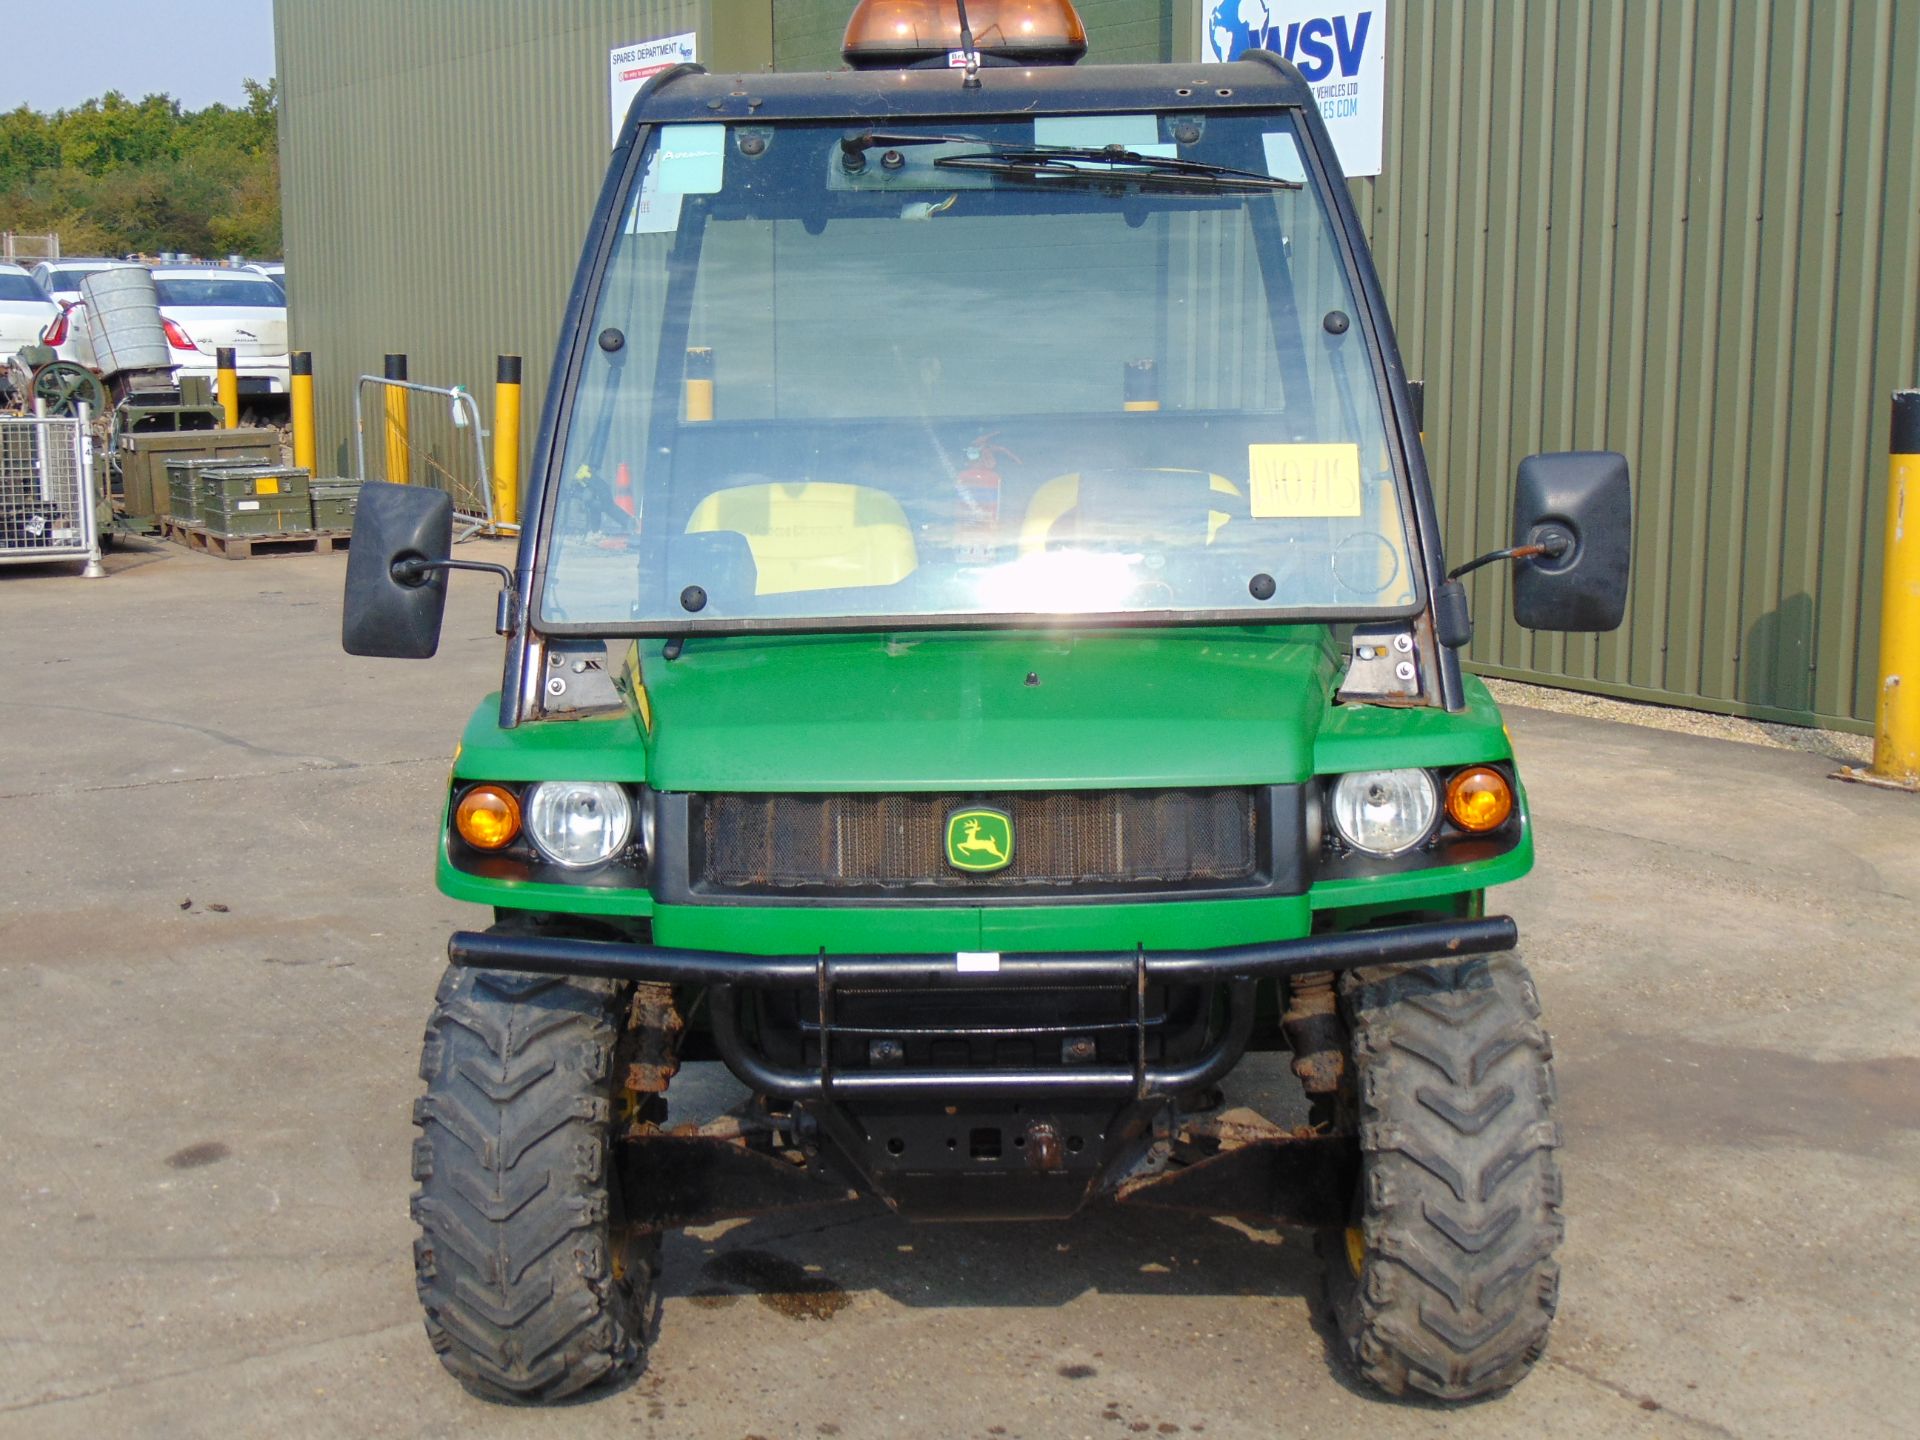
x=1687, y=231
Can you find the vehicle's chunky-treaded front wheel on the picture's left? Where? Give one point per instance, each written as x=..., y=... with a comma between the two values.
x=531, y=1282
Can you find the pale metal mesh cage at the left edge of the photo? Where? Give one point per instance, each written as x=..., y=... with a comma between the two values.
x=47, y=492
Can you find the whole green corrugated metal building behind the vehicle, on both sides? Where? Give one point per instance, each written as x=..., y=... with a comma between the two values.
x=1683, y=229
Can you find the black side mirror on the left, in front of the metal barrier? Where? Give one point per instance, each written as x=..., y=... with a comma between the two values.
x=391, y=608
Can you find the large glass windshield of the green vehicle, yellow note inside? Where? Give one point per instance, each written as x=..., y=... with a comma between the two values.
x=996, y=372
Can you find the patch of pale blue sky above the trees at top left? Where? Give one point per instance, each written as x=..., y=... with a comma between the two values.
x=197, y=53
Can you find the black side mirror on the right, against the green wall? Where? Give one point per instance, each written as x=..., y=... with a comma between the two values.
x=1579, y=506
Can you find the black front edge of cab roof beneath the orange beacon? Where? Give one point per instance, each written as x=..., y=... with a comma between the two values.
x=688, y=93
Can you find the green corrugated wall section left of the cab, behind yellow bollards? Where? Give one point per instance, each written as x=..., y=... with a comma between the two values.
x=441, y=162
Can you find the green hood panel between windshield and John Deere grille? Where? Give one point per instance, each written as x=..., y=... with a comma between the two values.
x=988, y=709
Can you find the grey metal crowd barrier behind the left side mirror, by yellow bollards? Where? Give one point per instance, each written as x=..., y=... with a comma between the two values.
x=437, y=444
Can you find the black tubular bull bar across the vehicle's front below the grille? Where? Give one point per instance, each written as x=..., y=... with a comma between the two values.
x=1239, y=967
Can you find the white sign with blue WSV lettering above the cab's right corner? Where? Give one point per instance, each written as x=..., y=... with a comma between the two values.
x=1341, y=51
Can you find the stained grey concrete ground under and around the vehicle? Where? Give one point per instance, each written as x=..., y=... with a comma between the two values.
x=220, y=940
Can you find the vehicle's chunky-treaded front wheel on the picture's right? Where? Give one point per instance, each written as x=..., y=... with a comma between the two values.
x=1445, y=1282
